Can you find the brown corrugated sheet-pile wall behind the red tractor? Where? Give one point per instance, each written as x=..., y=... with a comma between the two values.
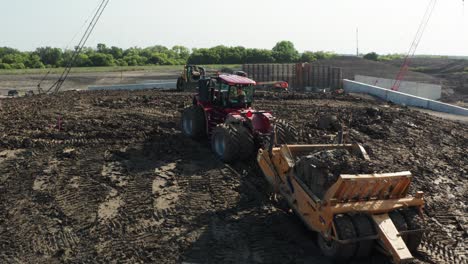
x=300, y=76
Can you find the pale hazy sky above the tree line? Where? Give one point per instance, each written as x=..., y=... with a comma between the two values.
x=386, y=26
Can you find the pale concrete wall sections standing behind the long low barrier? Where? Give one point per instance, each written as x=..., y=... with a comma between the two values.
x=425, y=90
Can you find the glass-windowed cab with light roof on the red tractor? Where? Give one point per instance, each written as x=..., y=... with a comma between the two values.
x=227, y=91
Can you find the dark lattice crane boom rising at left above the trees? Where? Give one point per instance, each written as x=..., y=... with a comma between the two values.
x=58, y=84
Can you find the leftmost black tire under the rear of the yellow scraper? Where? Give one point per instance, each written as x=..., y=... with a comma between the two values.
x=345, y=230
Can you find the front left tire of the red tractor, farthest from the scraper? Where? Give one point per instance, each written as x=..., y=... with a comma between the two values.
x=193, y=122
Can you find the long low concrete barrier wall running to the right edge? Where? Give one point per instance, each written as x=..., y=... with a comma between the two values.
x=402, y=98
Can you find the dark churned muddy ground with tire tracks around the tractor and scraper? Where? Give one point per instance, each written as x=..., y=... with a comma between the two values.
x=107, y=177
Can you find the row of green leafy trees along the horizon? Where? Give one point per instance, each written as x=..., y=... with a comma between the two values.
x=102, y=55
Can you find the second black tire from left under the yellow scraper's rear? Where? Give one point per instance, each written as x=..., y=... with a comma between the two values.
x=364, y=228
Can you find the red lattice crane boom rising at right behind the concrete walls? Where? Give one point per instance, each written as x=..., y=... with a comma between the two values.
x=414, y=46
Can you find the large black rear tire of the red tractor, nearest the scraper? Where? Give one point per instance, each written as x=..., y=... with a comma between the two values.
x=232, y=142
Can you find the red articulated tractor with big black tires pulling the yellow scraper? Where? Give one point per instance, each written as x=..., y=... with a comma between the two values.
x=222, y=110
